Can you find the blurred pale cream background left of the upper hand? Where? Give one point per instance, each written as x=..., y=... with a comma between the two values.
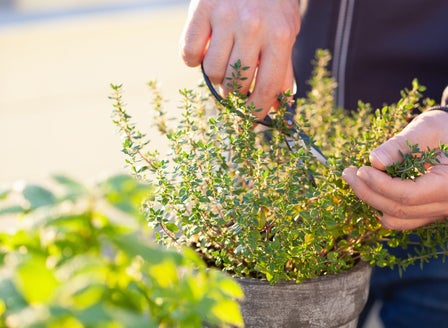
x=57, y=59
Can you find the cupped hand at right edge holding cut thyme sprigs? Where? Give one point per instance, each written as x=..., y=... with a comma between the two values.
x=406, y=204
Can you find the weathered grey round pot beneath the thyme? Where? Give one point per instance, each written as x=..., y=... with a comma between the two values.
x=330, y=301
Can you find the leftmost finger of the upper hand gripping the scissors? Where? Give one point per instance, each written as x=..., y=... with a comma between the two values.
x=196, y=34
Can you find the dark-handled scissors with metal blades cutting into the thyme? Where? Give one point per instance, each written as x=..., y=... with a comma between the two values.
x=290, y=132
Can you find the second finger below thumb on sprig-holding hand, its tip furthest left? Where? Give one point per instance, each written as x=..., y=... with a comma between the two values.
x=387, y=206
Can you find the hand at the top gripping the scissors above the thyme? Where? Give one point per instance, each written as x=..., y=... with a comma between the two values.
x=259, y=33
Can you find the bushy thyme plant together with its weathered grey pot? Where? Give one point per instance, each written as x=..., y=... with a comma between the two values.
x=253, y=208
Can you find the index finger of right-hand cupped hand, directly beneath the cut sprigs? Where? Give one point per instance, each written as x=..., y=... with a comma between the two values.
x=428, y=188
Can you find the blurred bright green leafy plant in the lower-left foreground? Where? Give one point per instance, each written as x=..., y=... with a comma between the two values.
x=81, y=257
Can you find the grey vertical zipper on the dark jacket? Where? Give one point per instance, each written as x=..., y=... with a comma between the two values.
x=340, y=51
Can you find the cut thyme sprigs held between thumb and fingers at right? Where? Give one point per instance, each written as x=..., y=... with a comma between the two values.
x=416, y=162
